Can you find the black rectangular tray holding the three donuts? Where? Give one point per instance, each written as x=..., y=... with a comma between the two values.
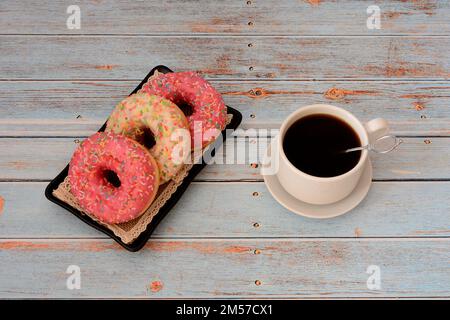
x=140, y=241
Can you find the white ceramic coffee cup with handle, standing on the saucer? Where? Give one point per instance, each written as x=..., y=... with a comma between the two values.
x=318, y=190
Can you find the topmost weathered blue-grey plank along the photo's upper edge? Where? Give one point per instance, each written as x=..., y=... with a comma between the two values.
x=305, y=17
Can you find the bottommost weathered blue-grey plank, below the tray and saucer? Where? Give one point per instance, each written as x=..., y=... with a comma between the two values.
x=284, y=268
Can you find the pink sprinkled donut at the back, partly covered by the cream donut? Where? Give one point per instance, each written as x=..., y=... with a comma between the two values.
x=206, y=114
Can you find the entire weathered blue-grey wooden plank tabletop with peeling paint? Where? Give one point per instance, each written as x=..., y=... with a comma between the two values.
x=227, y=237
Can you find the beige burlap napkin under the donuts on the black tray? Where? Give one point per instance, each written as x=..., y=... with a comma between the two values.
x=129, y=231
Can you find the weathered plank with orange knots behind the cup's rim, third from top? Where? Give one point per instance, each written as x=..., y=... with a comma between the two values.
x=79, y=108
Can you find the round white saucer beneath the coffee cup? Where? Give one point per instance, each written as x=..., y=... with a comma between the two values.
x=318, y=211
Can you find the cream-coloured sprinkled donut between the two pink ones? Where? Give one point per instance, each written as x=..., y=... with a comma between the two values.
x=159, y=125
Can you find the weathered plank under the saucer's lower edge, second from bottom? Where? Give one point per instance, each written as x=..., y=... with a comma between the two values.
x=391, y=209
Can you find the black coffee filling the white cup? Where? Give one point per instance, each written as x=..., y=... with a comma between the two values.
x=314, y=145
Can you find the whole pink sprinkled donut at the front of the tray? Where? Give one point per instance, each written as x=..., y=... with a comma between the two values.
x=113, y=177
